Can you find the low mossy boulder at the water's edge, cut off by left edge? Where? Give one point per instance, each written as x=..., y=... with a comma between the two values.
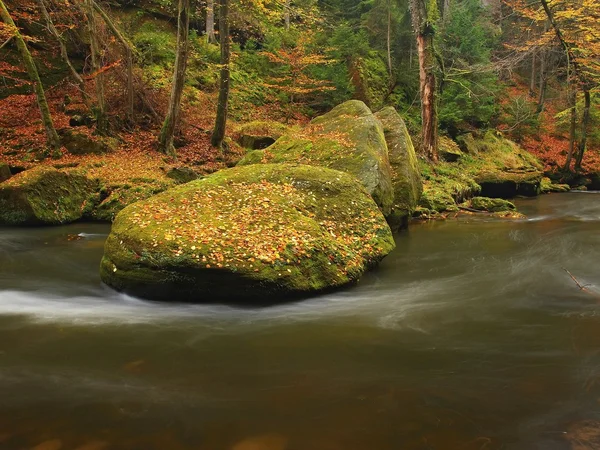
x=46, y=196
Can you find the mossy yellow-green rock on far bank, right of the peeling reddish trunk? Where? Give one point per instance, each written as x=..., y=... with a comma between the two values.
x=501, y=167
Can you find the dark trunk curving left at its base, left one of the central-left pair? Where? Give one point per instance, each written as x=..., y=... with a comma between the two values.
x=165, y=140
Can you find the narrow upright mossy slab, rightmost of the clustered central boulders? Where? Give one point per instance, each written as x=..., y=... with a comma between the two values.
x=406, y=178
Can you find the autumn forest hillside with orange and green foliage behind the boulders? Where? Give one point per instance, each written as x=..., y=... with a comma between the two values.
x=498, y=65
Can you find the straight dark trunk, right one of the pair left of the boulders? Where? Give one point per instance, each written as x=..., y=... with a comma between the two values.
x=221, y=121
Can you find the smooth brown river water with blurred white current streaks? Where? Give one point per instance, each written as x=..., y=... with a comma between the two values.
x=471, y=335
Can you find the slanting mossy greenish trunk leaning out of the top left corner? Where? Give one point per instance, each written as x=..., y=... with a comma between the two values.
x=52, y=137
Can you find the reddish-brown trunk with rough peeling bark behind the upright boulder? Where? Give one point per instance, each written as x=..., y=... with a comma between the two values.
x=424, y=32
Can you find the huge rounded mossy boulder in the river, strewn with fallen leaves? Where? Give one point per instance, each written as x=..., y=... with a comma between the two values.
x=261, y=232
